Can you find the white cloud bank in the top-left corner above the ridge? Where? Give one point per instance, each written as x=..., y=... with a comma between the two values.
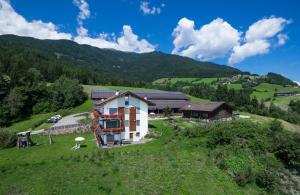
x=13, y=23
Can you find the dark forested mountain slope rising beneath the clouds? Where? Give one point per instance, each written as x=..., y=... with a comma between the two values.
x=93, y=65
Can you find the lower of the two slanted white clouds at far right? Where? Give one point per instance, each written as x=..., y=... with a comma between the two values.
x=256, y=47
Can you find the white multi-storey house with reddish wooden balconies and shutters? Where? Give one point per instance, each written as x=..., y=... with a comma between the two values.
x=121, y=117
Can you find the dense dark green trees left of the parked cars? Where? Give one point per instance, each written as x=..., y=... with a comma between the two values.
x=29, y=94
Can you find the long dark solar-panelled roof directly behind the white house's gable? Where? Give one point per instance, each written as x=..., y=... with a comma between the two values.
x=151, y=95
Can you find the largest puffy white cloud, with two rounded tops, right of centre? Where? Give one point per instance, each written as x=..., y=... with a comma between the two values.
x=212, y=40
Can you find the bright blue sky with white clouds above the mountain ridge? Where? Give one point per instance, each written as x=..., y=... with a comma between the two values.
x=251, y=35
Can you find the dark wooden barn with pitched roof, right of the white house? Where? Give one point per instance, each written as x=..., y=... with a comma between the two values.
x=209, y=111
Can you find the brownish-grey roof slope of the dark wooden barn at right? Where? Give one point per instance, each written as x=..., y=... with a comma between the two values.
x=205, y=107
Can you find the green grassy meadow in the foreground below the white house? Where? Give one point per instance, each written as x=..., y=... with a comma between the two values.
x=165, y=166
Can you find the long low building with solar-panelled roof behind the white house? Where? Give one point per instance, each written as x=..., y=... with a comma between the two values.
x=161, y=99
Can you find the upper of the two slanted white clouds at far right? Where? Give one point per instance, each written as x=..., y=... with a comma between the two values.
x=265, y=28
